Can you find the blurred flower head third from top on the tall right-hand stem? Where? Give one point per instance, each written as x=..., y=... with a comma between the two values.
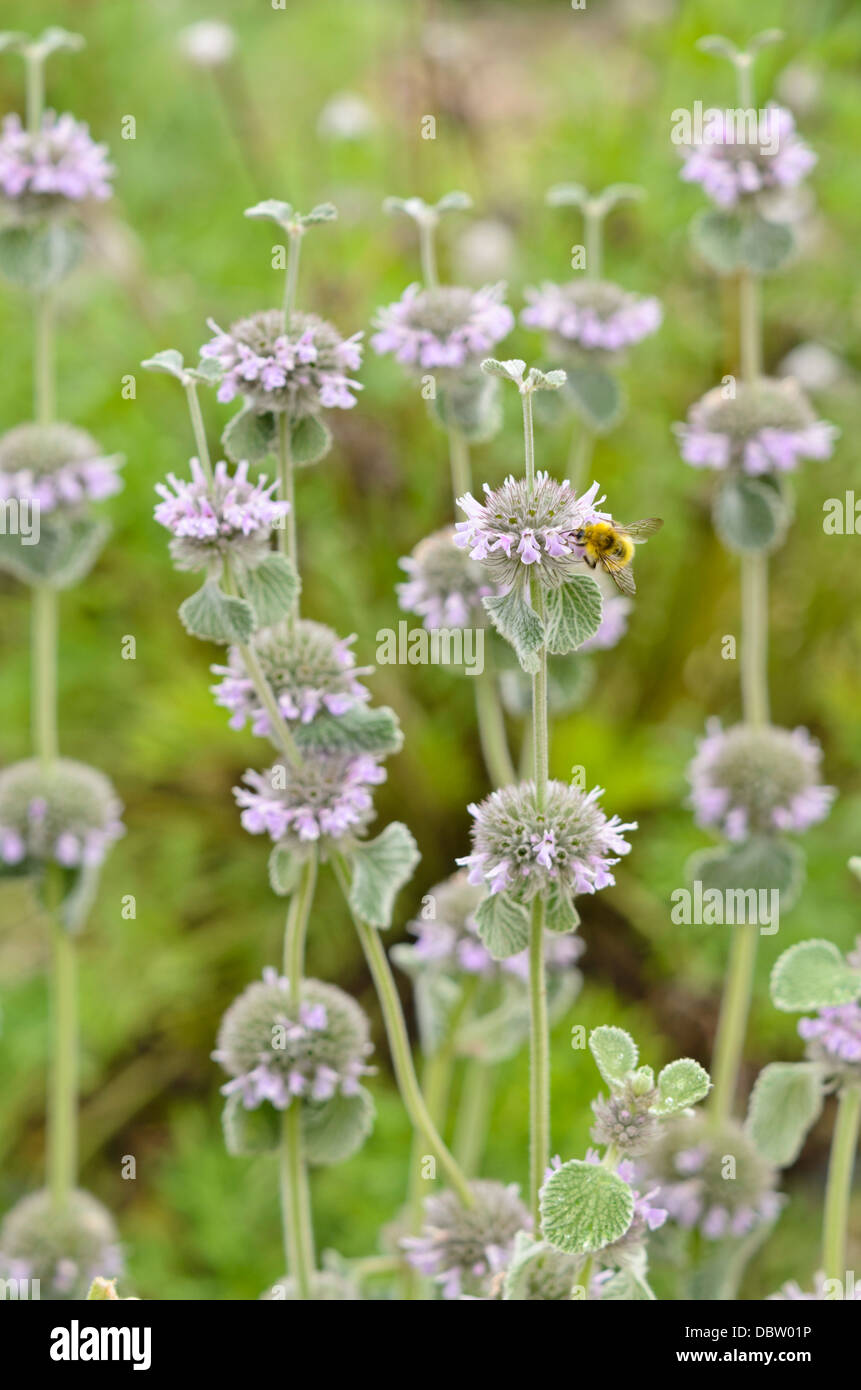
x=748, y=780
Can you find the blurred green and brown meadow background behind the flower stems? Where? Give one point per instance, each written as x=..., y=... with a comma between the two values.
x=525, y=97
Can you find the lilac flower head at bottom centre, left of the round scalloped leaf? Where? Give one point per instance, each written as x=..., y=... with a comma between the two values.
x=467, y=1249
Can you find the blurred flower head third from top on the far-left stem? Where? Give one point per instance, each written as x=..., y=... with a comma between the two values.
x=63, y=812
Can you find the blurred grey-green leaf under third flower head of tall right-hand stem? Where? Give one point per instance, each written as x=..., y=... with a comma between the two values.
x=763, y=864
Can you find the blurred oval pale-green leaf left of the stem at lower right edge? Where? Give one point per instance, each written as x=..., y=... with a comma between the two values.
x=785, y=1104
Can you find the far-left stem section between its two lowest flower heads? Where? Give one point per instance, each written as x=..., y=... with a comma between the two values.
x=63, y=1100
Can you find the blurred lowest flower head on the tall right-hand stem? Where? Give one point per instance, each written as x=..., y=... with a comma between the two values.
x=699, y=1189
